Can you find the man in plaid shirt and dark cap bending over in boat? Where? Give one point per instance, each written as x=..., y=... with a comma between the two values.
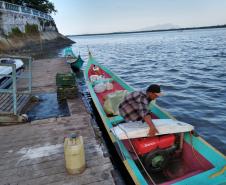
x=135, y=106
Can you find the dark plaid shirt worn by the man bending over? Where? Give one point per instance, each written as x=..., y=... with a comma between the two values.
x=134, y=106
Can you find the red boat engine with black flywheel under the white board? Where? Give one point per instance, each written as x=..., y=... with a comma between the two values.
x=155, y=151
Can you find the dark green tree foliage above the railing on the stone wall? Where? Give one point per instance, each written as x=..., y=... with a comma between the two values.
x=42, y=5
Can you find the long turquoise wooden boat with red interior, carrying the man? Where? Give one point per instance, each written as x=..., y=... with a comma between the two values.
x=192, y=161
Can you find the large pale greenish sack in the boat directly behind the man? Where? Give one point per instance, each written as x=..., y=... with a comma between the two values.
x=112, y=102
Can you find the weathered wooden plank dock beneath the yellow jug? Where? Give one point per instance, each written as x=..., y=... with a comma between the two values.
x=32, y=153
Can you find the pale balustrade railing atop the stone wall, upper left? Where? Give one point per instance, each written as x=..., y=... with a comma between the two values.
x=24, y=10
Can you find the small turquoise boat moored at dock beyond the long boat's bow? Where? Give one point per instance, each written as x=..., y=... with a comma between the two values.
x=75, y=62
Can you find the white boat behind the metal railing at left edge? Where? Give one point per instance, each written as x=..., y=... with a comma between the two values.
x=7, y=70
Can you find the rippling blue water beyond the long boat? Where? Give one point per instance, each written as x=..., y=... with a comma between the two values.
x=190, y=66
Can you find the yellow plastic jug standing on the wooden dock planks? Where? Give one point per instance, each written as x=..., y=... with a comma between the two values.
x=74, y=154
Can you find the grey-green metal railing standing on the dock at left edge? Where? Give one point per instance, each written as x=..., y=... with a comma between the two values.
x=14, y=77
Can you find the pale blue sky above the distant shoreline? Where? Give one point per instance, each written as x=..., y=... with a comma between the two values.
x=75, y=17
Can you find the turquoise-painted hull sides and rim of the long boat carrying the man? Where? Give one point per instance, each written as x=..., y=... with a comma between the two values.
x=214, y=175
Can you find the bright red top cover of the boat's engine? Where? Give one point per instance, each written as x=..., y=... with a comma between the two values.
x=145, y=145
